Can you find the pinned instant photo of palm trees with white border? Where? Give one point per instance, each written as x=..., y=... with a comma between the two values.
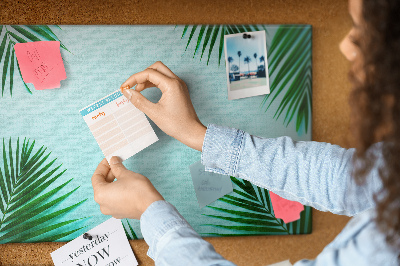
x=246, y=64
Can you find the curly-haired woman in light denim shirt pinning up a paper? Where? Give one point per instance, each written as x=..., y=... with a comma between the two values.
x=328, y=173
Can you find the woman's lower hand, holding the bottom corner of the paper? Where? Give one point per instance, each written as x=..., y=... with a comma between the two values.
x=127, y=197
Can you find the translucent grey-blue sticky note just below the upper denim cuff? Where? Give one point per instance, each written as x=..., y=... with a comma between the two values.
x=209, y=186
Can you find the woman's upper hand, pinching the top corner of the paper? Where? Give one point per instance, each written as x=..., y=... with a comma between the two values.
x=174, y=112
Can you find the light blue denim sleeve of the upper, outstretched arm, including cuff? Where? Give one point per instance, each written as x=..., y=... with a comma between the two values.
x=313, y=173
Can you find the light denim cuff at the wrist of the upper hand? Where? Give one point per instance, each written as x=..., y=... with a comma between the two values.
x=222, y=148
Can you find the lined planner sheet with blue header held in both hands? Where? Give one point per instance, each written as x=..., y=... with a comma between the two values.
x=118, y=126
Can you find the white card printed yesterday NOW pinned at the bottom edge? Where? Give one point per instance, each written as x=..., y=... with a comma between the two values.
x=108, y=246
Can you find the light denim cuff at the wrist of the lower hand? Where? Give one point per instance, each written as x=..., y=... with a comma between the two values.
x=157, y=220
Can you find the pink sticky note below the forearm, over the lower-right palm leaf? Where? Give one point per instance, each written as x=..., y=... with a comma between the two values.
x=284, y=209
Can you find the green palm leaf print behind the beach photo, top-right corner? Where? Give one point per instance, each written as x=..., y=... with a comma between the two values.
x=289, y=57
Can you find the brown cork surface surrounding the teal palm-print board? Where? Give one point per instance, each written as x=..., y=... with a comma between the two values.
x=330, y=93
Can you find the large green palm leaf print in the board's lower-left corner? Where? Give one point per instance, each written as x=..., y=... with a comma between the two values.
x=28, y=211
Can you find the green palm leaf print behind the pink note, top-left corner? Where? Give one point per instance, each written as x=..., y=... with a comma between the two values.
x=10, y=35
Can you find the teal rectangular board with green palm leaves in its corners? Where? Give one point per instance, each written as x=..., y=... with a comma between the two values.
x=51, y=119
